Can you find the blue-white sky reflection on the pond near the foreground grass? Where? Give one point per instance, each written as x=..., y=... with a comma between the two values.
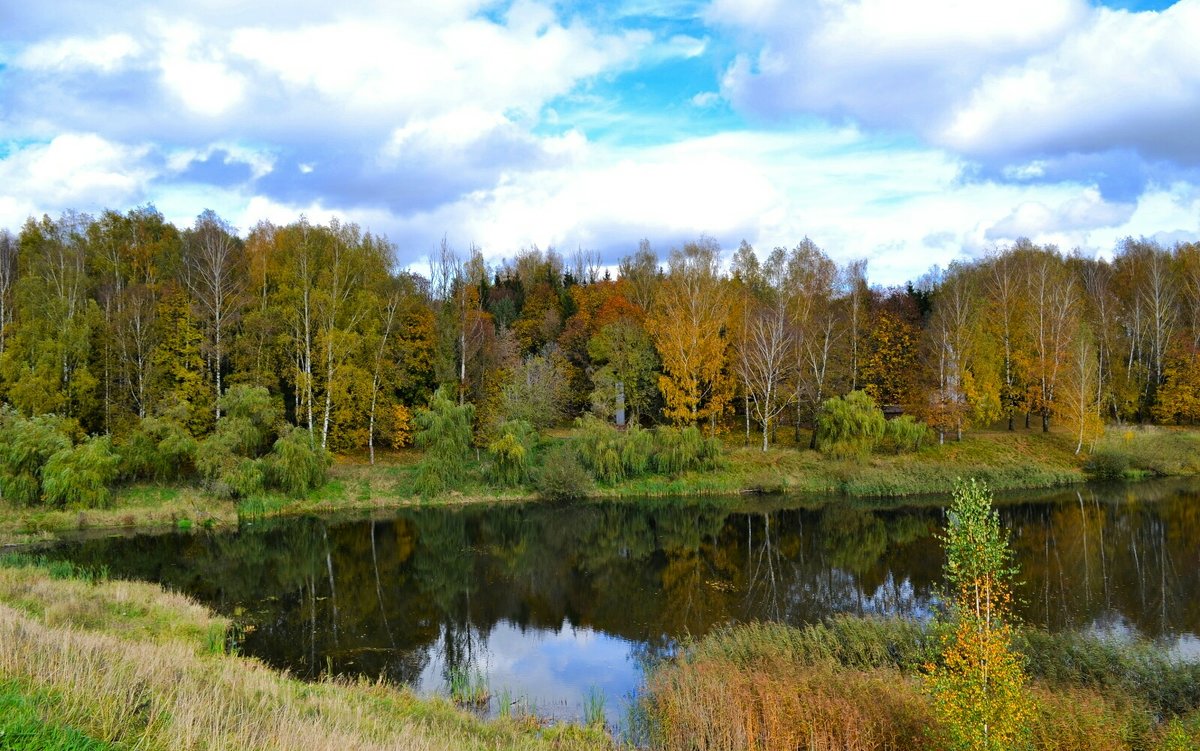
x=550, y=672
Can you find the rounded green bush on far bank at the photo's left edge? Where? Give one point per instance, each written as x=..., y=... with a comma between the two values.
x=26, y=447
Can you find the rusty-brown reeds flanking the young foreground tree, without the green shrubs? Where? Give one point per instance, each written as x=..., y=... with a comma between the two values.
x=770, y=687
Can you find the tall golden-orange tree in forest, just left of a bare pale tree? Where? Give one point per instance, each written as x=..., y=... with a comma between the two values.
x=688, y=326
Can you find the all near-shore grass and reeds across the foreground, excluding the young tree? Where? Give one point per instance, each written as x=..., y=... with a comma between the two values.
x=88, y=663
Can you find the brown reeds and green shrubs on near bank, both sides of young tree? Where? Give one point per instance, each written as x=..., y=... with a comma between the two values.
x=855, y=684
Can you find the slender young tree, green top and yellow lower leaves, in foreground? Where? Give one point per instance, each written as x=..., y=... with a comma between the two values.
x=979, y=687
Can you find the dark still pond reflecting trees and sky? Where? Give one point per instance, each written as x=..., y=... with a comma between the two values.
x=555, y=605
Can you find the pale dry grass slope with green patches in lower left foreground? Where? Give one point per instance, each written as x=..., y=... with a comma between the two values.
x=95, y=664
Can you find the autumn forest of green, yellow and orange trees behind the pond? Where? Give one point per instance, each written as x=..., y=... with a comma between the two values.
x=123, y=328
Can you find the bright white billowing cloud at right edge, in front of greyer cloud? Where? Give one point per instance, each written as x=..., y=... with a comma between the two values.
x=1121, y=81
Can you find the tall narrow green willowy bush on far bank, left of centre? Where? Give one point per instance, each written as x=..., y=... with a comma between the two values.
x=445, y=432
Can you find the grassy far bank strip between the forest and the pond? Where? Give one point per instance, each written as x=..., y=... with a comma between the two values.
x=1006, y=461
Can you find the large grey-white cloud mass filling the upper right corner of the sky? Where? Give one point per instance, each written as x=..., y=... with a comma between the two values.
x=1003, y=82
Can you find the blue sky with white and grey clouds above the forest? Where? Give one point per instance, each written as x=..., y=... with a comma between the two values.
x=911, y=134
